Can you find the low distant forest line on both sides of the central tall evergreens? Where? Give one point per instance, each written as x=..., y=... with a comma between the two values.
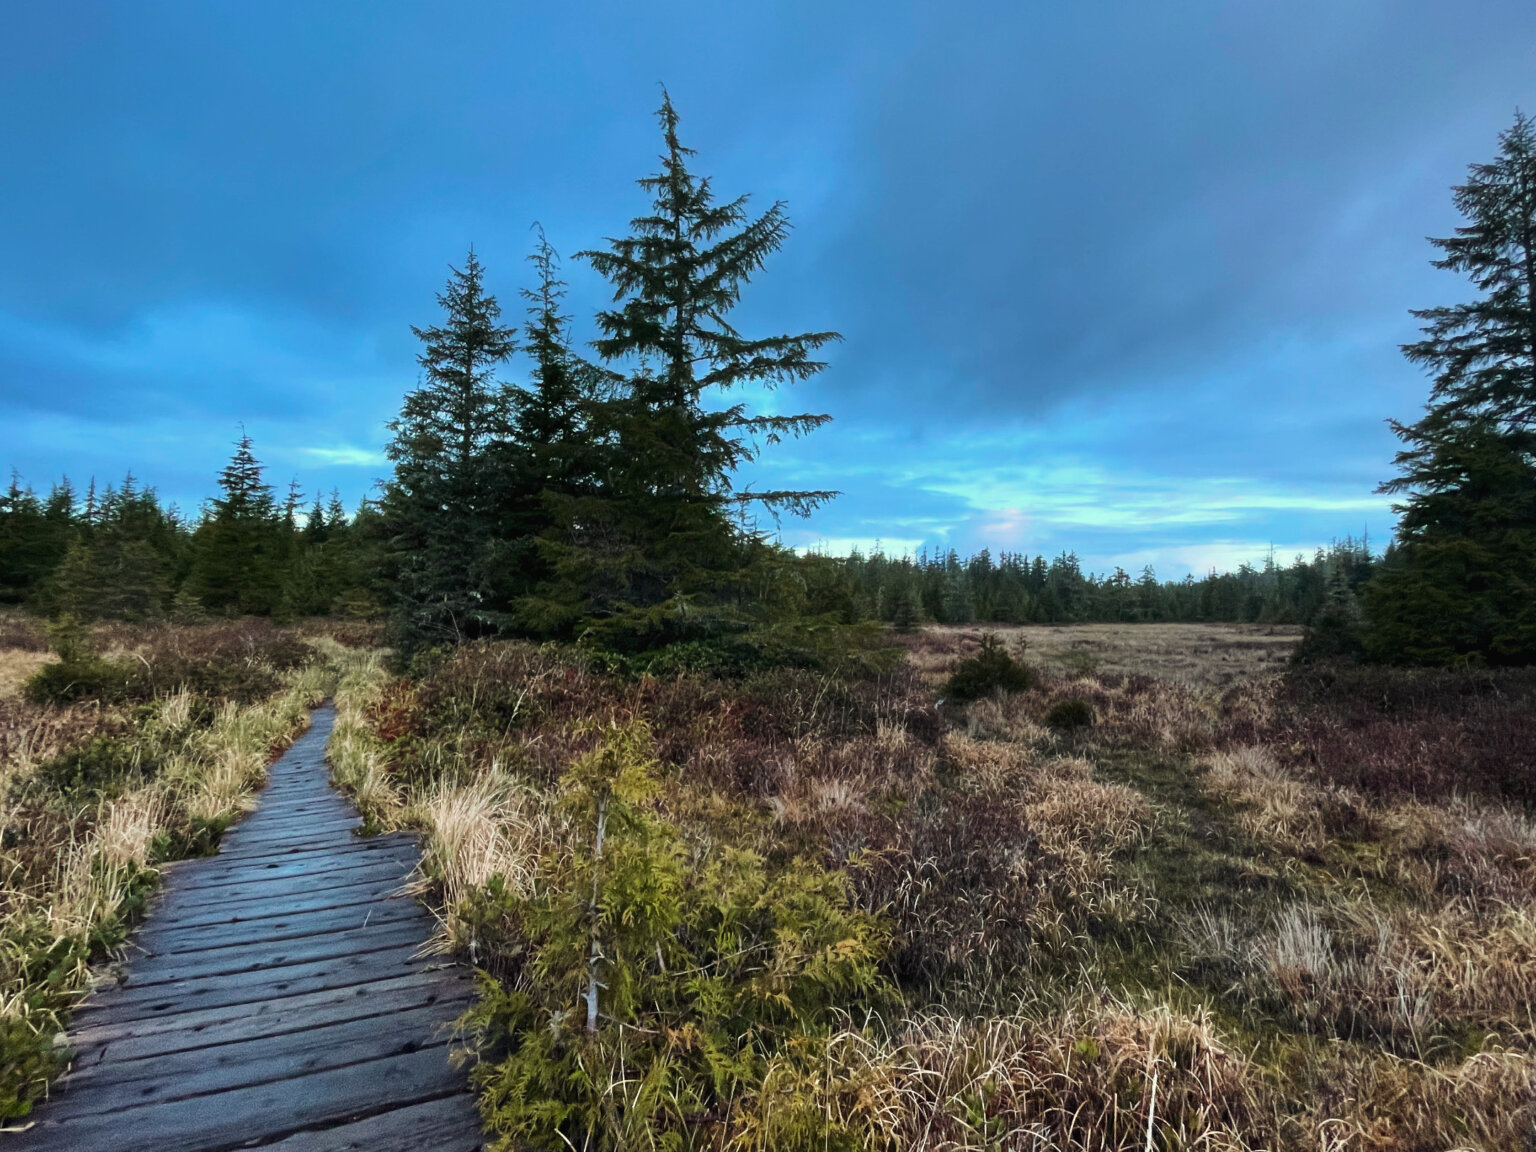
x=119, y=552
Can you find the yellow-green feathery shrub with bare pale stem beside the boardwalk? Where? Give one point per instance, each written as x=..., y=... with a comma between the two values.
x=661, y=981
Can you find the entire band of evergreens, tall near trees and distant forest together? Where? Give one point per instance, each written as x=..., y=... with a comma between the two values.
x=597, y=500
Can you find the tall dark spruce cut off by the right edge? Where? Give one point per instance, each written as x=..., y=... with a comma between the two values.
x=1462, y=586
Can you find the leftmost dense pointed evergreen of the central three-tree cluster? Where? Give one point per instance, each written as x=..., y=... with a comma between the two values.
x=442, y=509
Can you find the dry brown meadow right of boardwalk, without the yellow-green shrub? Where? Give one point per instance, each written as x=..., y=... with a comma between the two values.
x=1171, y=892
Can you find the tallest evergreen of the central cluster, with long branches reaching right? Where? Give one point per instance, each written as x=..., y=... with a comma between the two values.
x=663, y=554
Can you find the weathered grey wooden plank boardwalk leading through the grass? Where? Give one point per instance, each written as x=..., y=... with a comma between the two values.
x=274, y=999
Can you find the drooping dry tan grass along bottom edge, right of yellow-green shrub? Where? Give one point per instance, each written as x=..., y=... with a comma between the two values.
x=1093, y=1079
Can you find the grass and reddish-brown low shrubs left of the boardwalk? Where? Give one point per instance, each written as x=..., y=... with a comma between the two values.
x=99, y=792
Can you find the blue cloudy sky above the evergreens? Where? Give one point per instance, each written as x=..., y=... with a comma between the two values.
x=1124, y=279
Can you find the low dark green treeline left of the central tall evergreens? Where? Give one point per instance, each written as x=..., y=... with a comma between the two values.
x=121, y=554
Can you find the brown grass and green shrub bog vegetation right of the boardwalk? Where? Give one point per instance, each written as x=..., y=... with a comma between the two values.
x=830, y=915
